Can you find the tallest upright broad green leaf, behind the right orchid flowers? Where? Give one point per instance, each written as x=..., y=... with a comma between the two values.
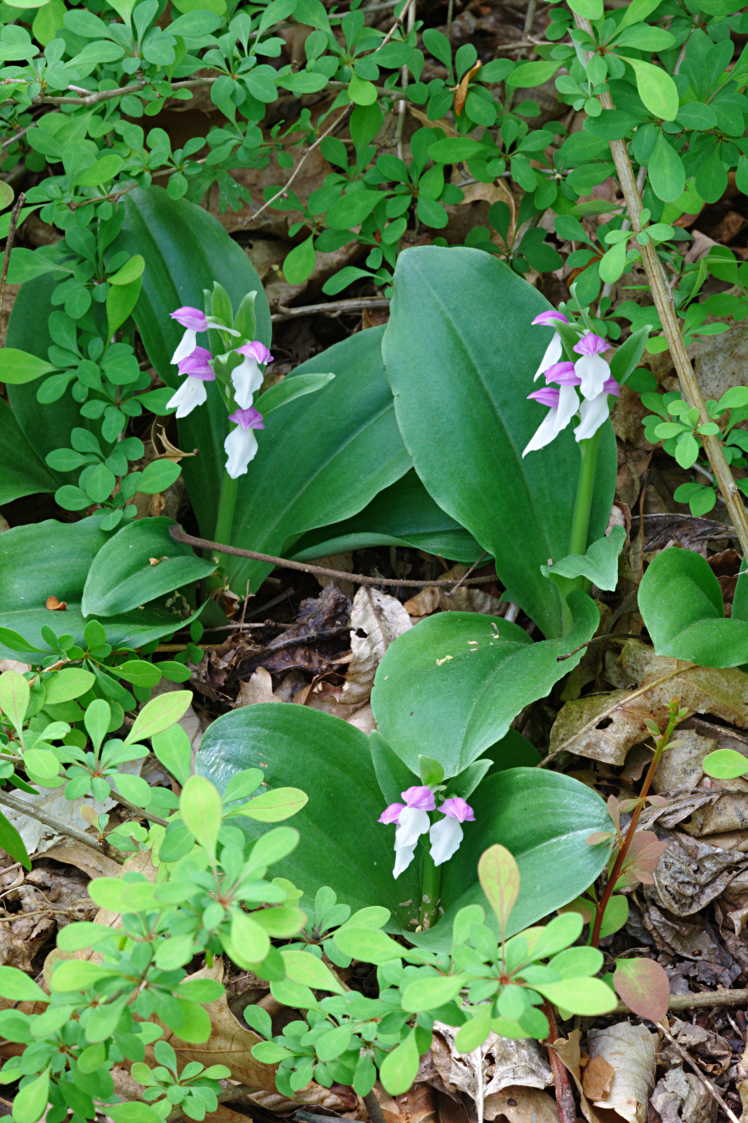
x=466, y=417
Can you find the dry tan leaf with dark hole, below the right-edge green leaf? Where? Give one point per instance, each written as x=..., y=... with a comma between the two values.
x=605, y=727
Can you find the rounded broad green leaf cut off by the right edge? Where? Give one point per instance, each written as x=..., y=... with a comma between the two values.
x=681, y=604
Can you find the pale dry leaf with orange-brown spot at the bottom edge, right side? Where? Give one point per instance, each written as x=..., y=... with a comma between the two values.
x=628, y=1051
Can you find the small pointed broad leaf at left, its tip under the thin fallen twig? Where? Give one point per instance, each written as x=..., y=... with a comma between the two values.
x=139, y=564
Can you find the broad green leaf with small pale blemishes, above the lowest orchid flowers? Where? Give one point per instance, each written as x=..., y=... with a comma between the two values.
x=457, y=681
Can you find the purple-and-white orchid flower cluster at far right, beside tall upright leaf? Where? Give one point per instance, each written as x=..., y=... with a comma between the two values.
x=590, y=373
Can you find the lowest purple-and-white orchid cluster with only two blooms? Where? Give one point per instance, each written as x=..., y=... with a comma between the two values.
x=413, y=820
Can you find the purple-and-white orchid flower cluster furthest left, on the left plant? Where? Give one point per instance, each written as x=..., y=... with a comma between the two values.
x=198, y=367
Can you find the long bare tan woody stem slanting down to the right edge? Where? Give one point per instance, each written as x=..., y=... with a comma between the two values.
x=669, y=318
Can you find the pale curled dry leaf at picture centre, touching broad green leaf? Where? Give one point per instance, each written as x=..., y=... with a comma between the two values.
x=377, y=619
